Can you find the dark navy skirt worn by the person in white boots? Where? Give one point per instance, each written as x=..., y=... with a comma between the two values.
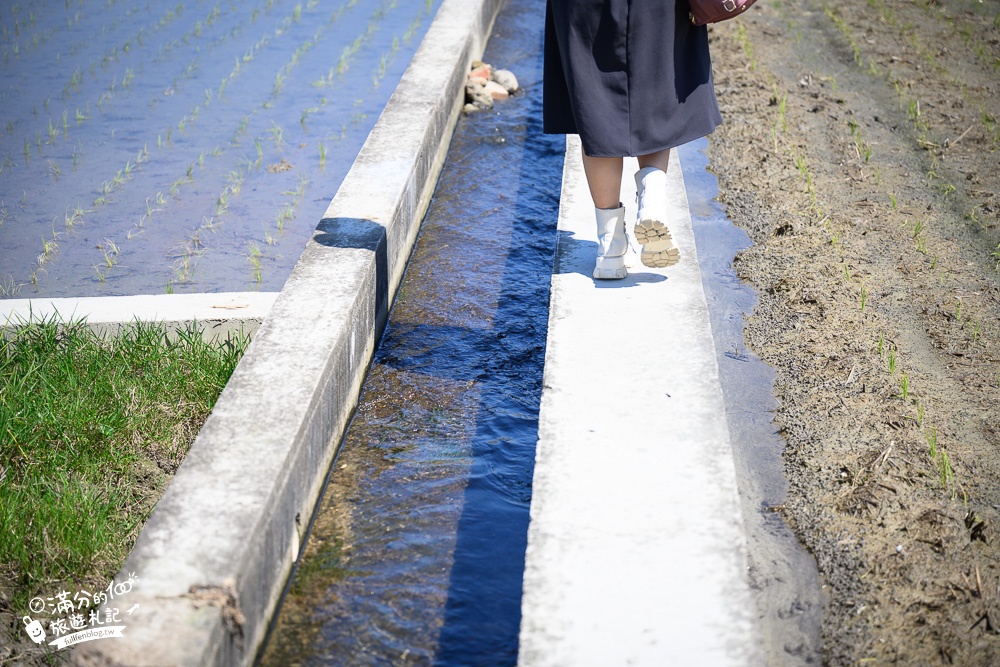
x=631, y=77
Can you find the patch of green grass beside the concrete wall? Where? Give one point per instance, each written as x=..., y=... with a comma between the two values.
x=90, y=431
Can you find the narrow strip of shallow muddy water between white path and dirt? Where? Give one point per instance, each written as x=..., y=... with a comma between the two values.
x=783, y=576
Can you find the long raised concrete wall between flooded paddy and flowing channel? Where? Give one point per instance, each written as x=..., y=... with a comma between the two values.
x=212, y=560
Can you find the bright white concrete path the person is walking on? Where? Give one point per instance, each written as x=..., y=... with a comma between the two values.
x=636, y=547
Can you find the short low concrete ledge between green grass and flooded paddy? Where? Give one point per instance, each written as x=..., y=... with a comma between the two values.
x=219, y=315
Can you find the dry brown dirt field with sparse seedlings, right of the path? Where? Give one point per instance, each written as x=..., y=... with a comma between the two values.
x=860, y=152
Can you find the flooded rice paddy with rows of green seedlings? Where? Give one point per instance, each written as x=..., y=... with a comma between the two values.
x=184, y=146
